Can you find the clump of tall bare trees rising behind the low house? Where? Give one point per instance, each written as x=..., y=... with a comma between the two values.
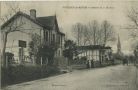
x=93, y=33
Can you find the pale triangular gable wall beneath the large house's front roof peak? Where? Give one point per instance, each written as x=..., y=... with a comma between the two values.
x=22, y=23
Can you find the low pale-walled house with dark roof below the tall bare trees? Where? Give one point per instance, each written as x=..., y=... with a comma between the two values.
x=96, y=53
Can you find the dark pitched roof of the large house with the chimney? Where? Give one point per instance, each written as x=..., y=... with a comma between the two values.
x=46, y=22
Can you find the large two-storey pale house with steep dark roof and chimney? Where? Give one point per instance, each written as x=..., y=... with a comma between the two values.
x=26, y=26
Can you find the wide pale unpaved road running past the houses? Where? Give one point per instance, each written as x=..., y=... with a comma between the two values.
x=108, y=78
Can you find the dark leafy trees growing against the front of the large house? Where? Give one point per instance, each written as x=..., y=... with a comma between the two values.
x=41, y=51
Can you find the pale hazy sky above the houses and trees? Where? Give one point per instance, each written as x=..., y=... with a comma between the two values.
x=68, y=13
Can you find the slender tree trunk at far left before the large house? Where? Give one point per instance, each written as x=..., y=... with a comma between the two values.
x=4, y=39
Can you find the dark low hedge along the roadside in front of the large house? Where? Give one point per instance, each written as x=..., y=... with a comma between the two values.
x=18, y=74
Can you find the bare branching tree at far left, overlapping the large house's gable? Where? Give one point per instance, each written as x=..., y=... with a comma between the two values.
x=11, y=27
